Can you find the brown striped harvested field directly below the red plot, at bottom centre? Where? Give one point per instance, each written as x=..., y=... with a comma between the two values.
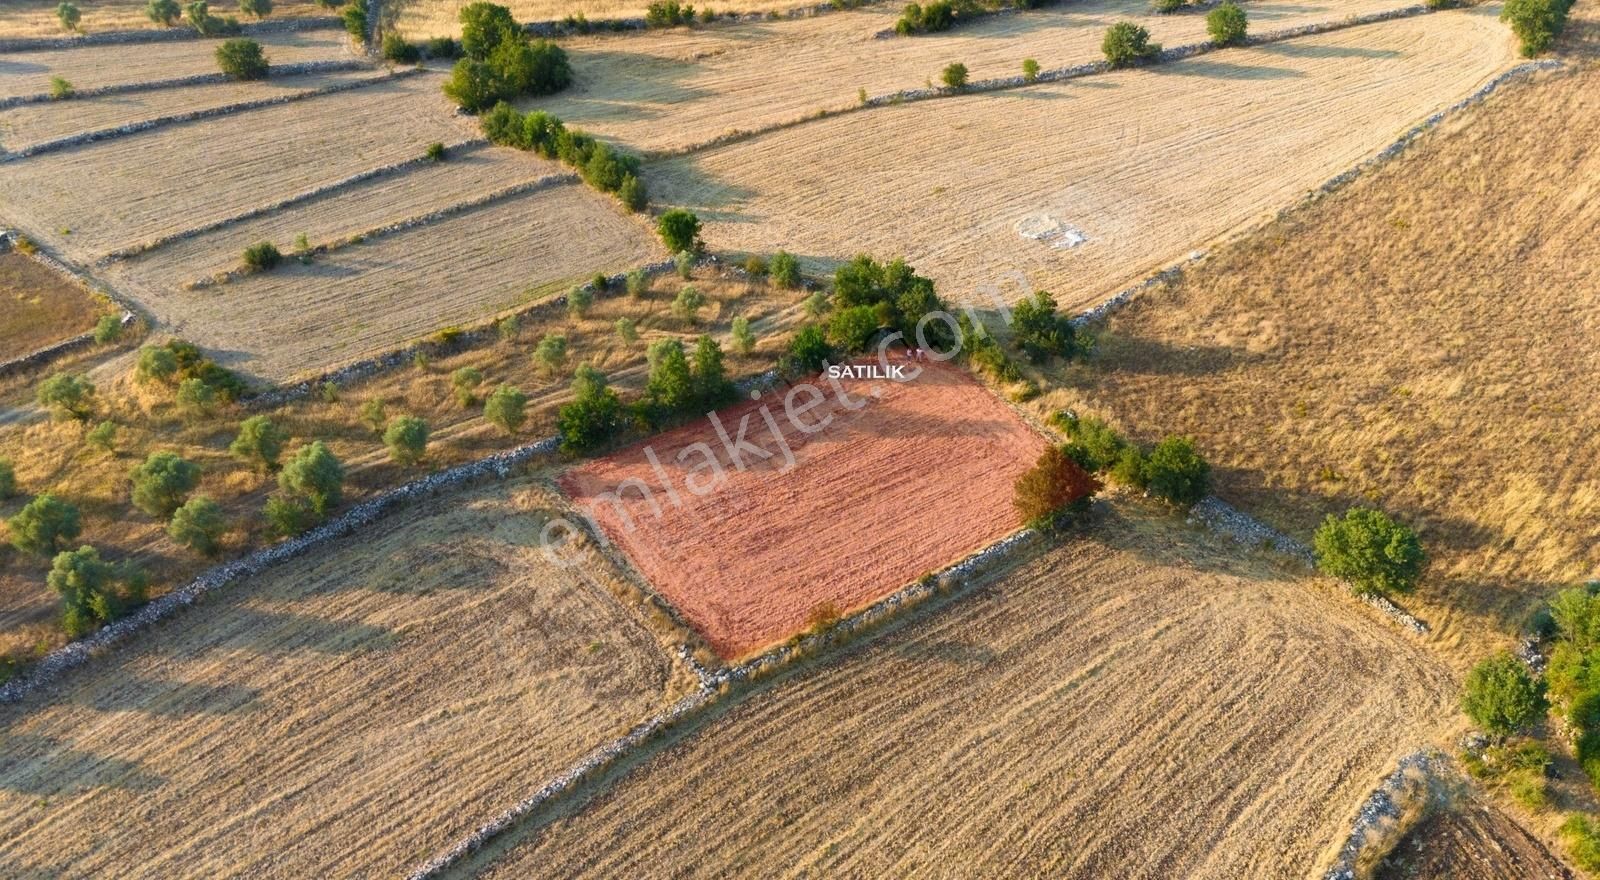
x=1137, y=703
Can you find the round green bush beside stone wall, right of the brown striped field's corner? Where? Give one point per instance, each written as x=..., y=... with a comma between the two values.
x=1370, y=551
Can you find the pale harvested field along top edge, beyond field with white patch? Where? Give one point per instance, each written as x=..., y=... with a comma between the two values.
x=668, y=92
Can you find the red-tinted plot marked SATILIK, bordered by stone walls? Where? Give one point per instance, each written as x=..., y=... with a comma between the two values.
x=881, y=484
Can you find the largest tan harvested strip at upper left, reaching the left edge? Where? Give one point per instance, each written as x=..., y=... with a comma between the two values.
x=127, y=191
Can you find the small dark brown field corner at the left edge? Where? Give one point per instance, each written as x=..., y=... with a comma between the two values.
x=39, y=306
